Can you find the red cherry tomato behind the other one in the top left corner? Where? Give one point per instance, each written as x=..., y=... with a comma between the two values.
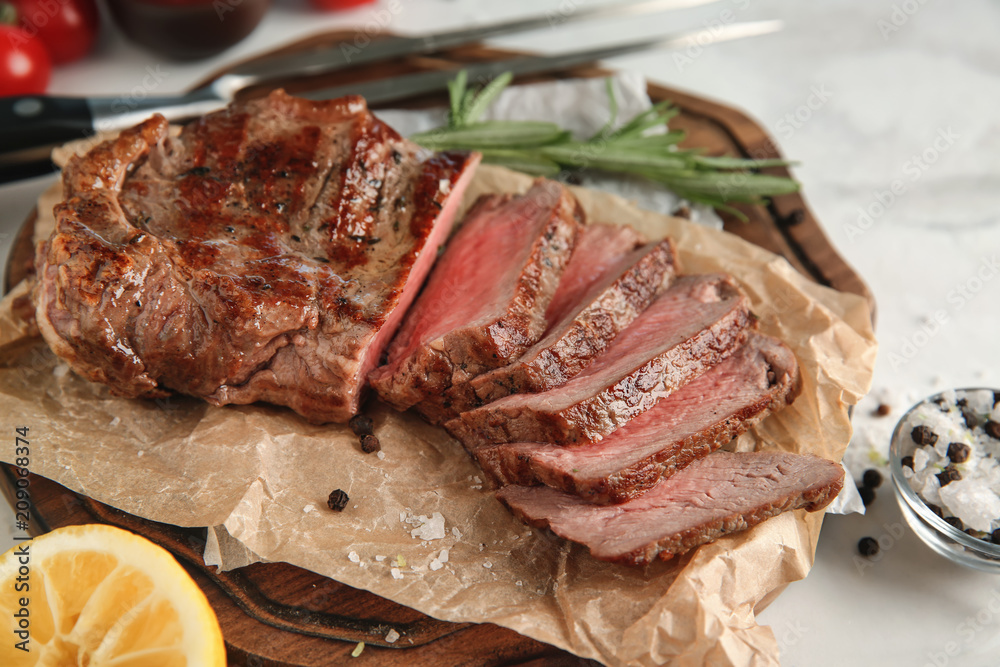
x=68, y=28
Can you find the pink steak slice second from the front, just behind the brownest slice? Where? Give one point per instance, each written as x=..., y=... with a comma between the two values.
x=687, y=425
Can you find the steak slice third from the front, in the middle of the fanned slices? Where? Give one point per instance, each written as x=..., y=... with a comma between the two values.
x=689, y=328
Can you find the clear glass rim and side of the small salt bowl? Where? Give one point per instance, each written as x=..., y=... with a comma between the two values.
x=939, y=535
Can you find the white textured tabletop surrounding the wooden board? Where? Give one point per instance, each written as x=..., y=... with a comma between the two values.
x=892, y=109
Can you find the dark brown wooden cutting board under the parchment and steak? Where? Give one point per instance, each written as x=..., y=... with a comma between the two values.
x=275, y=614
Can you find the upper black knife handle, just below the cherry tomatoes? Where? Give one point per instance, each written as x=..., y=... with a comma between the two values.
x=31, y=121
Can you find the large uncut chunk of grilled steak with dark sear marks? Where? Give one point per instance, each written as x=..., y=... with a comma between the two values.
x=267, y=253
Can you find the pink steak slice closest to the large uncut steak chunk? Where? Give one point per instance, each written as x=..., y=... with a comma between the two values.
x=485, y=301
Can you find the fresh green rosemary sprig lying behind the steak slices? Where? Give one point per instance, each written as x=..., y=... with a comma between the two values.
x=545, y=149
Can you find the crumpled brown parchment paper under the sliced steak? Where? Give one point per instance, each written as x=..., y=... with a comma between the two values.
x=260, y=475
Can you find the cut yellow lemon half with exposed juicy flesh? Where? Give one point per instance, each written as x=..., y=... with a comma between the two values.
x=99, y=596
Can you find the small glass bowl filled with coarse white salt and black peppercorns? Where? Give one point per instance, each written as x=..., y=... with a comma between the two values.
x=945, y=465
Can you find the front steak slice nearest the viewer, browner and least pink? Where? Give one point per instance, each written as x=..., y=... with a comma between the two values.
x=720, y=494
